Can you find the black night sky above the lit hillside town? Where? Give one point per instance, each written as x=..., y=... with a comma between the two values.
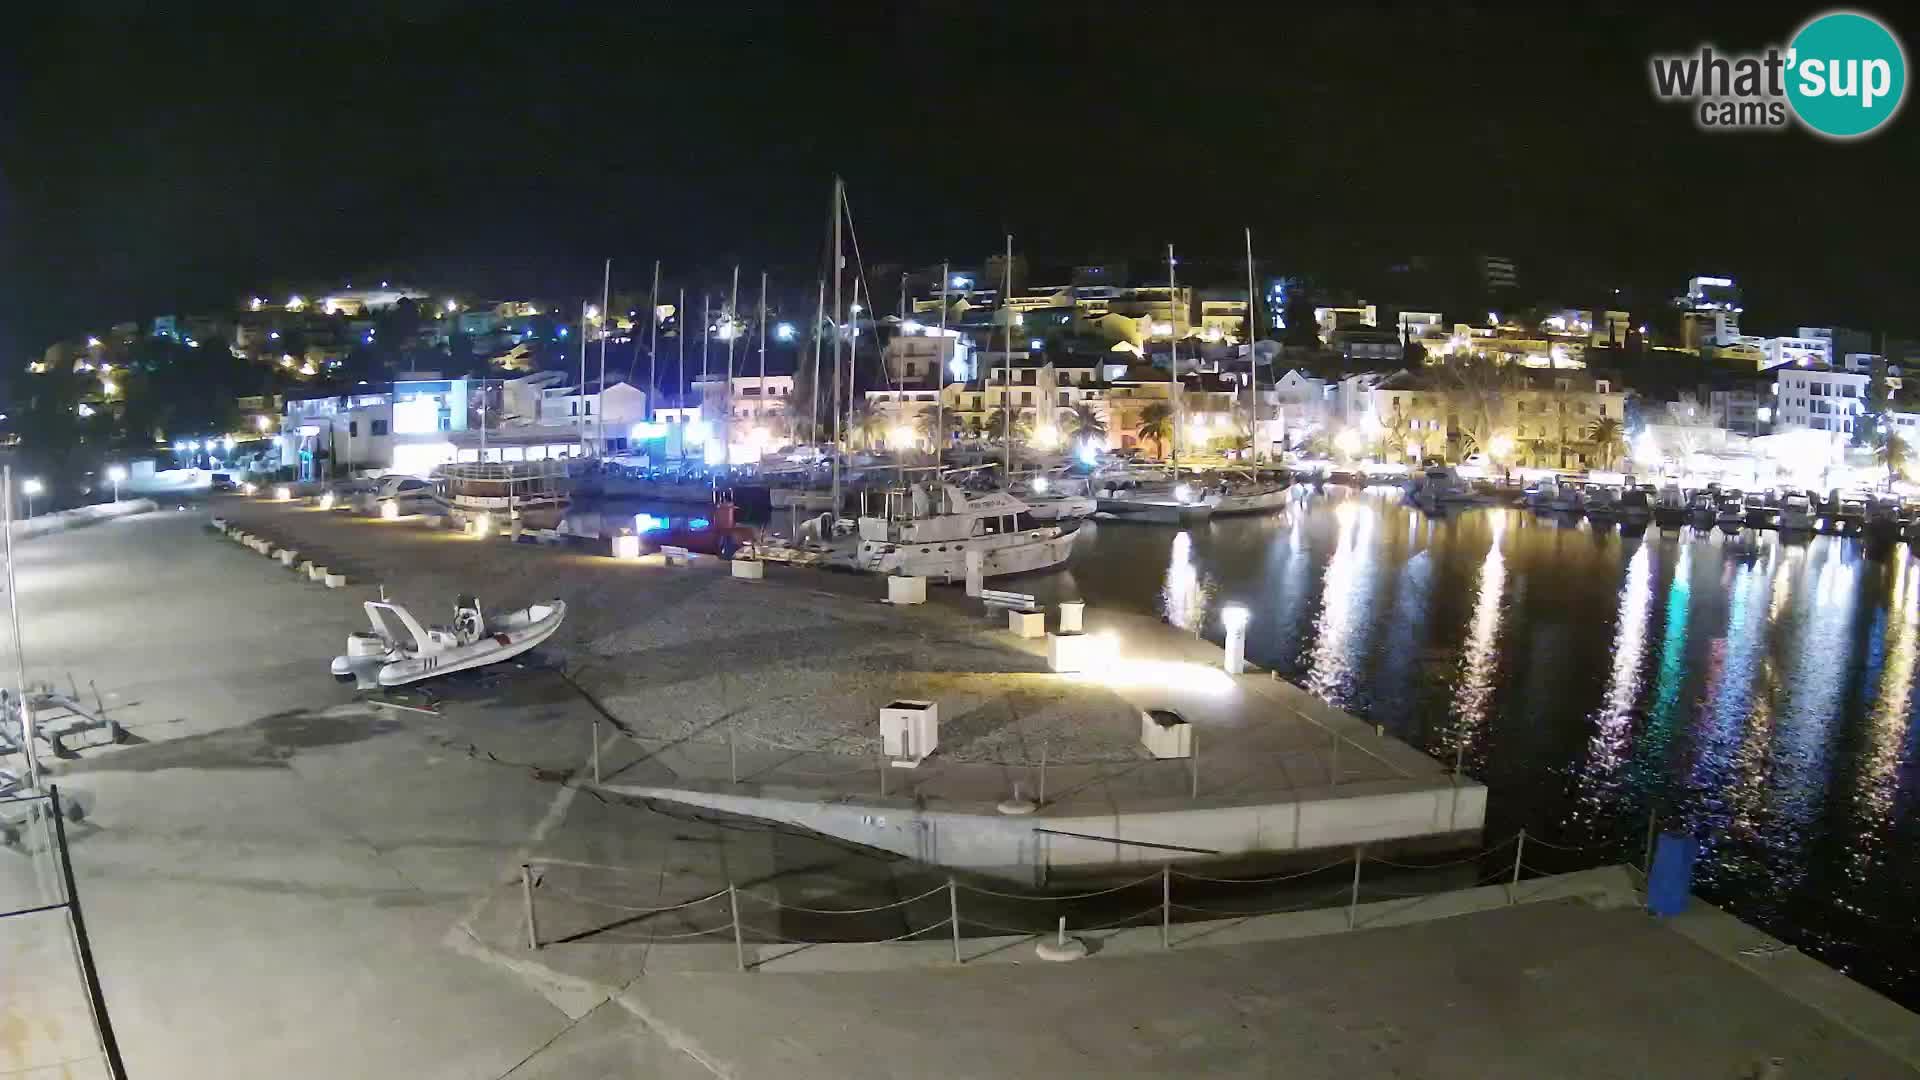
x=172, y=162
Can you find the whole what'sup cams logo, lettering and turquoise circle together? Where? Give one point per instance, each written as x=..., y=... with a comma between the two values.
x=1844, y=76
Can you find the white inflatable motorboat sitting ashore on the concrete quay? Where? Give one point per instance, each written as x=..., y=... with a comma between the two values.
x=395, y=656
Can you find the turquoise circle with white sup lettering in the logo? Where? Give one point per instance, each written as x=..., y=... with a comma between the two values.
x=1848, y=74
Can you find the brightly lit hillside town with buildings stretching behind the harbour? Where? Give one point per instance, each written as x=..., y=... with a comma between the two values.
x=395, y=378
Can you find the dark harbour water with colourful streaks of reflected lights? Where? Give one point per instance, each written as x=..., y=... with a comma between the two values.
x=1754, y=691
